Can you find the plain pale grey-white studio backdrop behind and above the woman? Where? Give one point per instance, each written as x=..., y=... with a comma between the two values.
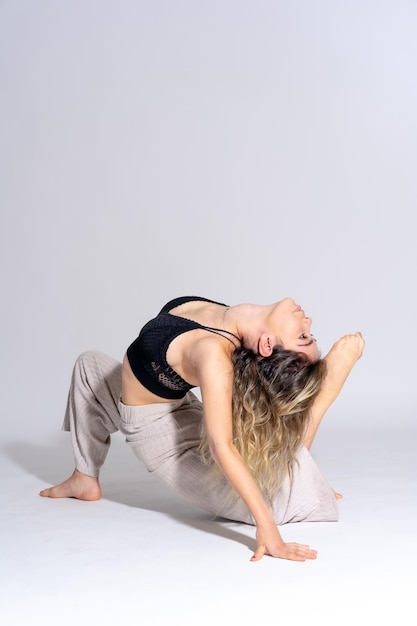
x=243, y=151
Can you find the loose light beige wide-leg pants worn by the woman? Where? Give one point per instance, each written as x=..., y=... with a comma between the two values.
x=165, y=437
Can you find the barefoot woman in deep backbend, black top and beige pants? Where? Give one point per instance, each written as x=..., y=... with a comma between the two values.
x=264, y=390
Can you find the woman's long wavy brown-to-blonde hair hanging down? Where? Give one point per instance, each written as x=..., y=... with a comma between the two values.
x=272, y=397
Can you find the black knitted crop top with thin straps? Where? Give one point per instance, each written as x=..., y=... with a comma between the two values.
x=147, y=354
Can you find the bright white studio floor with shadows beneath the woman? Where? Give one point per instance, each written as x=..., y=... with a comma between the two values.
x=141, y=555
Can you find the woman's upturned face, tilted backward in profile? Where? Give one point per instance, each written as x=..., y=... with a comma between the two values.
x=292, y=328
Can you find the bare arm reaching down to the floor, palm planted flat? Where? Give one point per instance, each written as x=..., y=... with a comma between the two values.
x=215, y=375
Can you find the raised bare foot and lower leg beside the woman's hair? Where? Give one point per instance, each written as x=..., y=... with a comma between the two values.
x=340, y=361
